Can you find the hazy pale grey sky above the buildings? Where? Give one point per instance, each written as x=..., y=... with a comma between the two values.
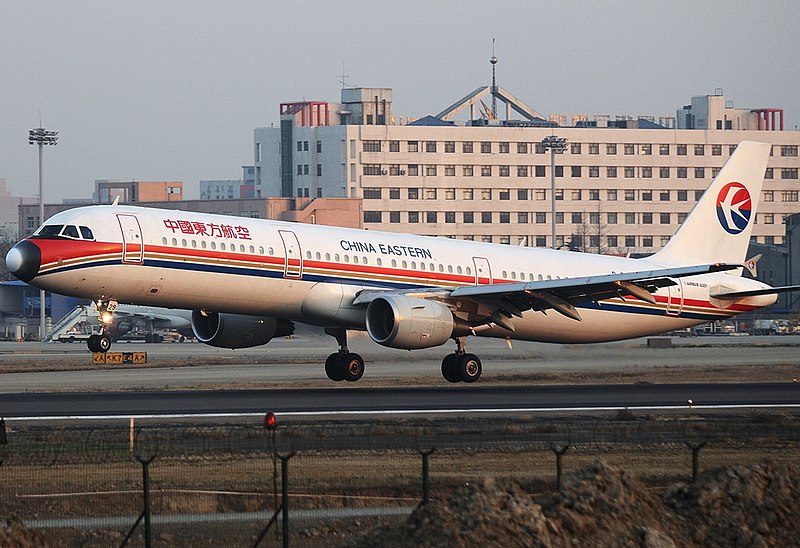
x=155, y=90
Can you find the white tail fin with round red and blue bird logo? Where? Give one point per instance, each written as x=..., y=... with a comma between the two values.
x=718, y=228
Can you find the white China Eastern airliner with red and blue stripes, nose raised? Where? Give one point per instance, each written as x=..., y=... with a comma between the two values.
x=249, y=280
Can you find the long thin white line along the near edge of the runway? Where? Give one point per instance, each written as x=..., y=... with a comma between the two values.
x=684, y=407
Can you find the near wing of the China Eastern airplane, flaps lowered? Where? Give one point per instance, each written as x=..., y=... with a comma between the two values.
x=498, y=303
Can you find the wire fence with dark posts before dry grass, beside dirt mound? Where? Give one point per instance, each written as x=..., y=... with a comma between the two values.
x=235, y=483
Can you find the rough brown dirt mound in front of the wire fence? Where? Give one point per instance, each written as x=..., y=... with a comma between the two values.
x=601, y=505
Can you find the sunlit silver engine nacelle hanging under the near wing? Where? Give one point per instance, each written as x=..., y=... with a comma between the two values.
x=407, y=322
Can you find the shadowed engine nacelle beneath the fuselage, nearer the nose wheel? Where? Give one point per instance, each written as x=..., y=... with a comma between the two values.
x=237, y=330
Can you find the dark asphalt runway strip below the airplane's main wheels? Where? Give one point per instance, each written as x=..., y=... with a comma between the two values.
x=340, y=401
